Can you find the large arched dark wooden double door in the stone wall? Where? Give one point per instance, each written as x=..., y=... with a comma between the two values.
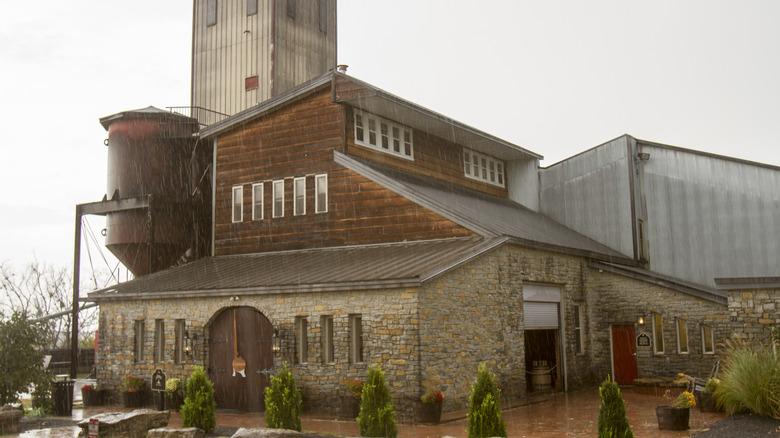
x=252, y=339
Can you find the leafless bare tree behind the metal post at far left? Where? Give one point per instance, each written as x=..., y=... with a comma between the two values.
x=39, y=290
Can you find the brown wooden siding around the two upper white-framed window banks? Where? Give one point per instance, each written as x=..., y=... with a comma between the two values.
x=433, y=157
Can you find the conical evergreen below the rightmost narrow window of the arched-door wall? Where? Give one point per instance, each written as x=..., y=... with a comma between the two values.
x=377, y=415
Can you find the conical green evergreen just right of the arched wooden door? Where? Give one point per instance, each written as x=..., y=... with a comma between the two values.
x=283, y=402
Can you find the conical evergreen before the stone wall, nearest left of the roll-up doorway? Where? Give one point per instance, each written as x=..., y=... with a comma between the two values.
x=484, y=412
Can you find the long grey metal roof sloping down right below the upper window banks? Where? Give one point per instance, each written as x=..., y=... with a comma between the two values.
x=488, y=215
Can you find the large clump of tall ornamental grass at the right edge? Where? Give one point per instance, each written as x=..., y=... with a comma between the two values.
x=749, y=379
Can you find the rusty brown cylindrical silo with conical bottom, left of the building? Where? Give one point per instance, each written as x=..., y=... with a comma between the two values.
x=149, y=154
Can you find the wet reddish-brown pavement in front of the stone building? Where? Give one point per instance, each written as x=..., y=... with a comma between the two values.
x=572, y=414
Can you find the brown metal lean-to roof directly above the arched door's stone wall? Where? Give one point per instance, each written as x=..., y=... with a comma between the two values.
x=343, y=268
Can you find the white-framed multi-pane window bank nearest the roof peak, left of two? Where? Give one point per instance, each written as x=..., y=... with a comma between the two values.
x=380, y=134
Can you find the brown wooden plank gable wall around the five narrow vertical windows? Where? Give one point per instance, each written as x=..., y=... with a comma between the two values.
x=297, y=141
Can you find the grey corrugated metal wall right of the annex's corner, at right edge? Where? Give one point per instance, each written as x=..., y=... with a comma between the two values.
x=711, y=217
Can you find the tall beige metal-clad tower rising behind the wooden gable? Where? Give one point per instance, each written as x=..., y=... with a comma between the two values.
x=248, y=51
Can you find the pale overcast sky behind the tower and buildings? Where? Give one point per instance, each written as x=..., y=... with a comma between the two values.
x=555, y=77
